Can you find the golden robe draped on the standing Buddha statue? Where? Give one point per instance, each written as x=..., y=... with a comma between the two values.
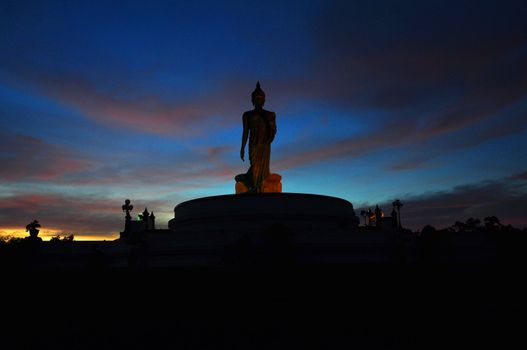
x=262, y=130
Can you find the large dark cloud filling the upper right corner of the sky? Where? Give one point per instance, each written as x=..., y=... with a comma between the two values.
x=397, y=55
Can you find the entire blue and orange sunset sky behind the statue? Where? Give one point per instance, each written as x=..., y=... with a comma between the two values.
x=425, y=101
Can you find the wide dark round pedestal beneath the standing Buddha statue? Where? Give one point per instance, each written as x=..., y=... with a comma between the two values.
x=256, y=212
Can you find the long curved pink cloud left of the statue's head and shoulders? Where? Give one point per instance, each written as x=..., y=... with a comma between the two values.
x=149, y=113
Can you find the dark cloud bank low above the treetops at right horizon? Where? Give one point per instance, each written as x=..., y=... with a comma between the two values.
x=505, y=198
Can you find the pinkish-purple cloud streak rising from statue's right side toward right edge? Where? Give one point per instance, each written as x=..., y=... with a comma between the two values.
x=408, y=133
